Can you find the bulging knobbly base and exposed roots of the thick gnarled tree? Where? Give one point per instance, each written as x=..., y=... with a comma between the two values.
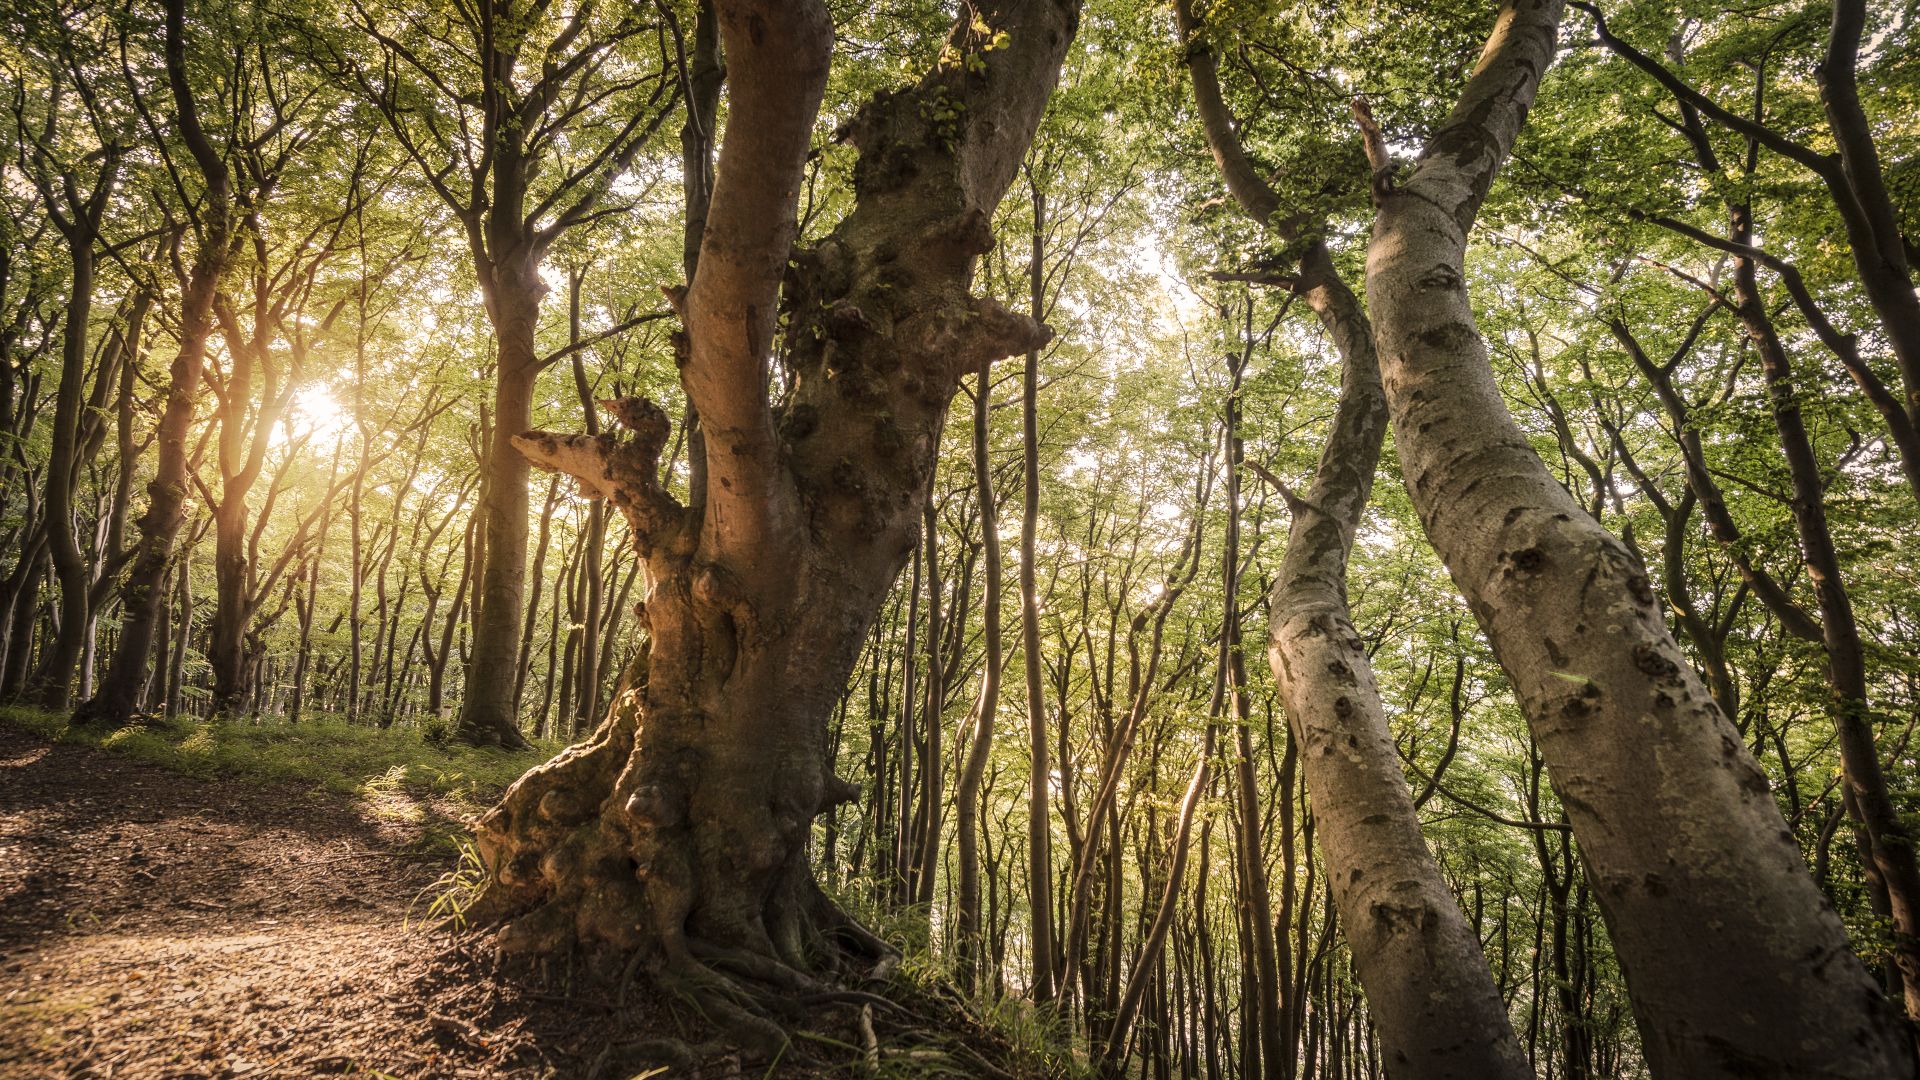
x=596, y=854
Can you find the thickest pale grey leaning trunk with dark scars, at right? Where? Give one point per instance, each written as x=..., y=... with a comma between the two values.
x=1692, y=866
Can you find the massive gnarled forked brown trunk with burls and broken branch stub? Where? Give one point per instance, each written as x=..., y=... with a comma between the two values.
x=681, y=829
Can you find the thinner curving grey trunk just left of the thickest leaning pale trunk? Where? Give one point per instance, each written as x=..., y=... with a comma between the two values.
x=1414, y=950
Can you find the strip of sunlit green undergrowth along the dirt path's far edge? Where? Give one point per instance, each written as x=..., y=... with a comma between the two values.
x=393, y=773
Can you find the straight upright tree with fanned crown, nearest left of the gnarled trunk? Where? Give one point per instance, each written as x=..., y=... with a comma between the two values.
x=485, y=130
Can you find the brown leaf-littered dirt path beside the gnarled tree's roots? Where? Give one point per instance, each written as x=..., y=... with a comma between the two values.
x=156, y=925
